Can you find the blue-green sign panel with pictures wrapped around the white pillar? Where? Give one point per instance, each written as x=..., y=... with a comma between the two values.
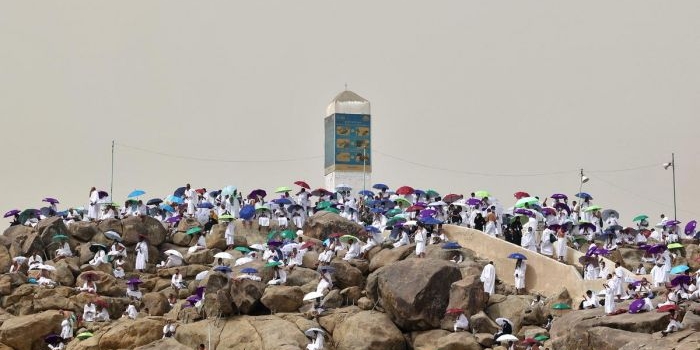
x=349, y=146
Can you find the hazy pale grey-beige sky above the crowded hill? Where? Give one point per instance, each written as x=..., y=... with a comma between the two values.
x=489, y=87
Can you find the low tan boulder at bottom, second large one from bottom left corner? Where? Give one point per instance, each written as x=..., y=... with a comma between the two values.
x=126, y=333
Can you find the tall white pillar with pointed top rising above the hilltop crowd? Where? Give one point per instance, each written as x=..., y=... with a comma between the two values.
x=348, y=146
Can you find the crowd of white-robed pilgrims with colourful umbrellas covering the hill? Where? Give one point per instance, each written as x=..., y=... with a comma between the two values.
x=547, y=226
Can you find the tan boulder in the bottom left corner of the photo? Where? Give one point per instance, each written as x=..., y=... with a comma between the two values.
x=28, y=332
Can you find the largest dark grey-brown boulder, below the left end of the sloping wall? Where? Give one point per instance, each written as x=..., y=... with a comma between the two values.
x=415, y=292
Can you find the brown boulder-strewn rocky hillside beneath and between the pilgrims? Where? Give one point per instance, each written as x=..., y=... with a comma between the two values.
x=390, y=301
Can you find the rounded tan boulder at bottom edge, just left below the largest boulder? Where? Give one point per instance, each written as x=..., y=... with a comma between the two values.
x=368, y=330
